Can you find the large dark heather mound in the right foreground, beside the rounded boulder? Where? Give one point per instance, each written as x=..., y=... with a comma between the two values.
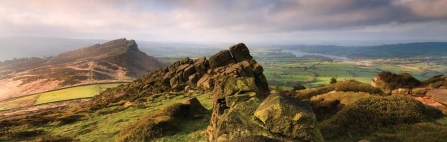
x=368, y=114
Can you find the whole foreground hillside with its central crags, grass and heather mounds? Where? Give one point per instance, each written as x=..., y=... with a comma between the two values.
x=227, y=98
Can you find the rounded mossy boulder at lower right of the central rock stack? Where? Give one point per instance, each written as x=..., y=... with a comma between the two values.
x=289, y=117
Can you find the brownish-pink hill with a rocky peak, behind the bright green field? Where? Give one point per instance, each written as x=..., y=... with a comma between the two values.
x=114, y=61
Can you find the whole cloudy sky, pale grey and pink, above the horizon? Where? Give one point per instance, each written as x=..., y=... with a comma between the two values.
x=268, y=21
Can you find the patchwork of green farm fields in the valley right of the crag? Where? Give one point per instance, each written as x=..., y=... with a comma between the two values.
x=286, y=70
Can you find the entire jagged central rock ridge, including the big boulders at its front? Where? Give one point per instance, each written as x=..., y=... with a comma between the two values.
x=243, y=107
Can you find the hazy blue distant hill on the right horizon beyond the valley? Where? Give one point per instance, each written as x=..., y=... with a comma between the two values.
x=404, y=50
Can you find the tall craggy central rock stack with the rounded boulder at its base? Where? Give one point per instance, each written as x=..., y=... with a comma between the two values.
x=238, y=109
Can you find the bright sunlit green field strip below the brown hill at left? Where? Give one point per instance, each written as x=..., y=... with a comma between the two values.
x=73, y=93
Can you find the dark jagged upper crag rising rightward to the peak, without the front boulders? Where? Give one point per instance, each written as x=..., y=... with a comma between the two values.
x=231, y=71
